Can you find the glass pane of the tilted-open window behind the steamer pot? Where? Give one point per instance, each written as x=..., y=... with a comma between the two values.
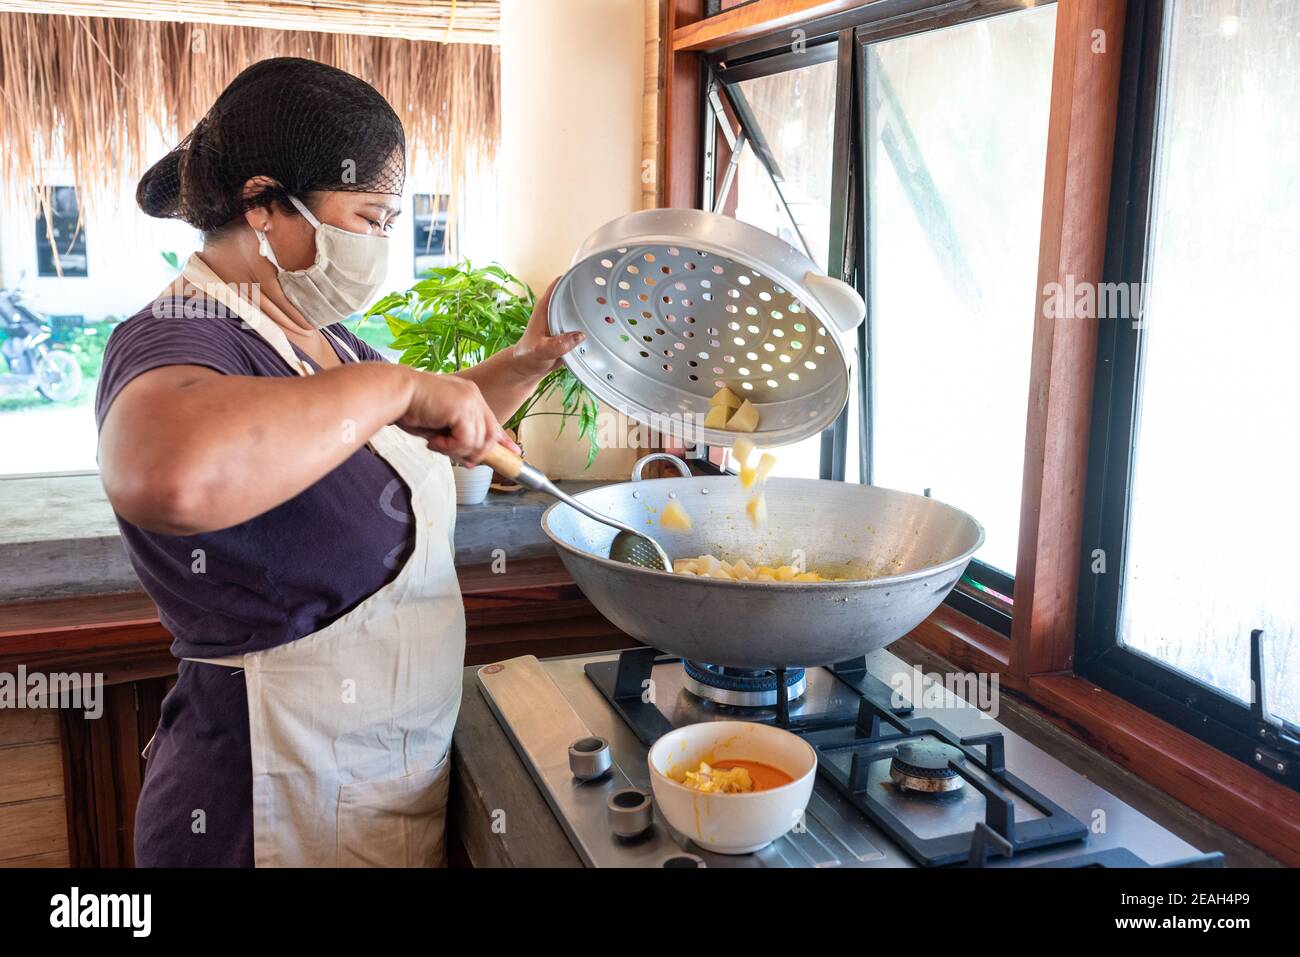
x=795, y=114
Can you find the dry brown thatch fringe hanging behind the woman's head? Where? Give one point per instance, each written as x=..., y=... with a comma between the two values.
x=86, y=90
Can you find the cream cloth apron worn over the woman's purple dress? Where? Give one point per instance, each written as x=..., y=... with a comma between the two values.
x=352, y=726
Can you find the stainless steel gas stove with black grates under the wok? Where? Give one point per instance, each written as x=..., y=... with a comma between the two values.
x=899, y=786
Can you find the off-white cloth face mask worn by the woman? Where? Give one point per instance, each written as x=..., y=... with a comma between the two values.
x=348, y=272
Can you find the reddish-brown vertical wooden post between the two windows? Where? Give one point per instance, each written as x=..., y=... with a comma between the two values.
x=1072, y=250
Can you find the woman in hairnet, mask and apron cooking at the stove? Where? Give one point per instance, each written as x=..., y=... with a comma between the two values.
x=287, y=497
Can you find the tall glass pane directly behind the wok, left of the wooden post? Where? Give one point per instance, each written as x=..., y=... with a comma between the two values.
x=957, y=142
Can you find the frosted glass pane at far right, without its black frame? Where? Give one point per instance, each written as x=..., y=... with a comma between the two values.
x=1214, y=526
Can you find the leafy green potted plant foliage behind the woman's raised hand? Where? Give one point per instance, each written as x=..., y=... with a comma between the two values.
x=457, y=317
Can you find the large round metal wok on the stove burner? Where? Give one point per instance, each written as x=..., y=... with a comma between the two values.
x=903, y=552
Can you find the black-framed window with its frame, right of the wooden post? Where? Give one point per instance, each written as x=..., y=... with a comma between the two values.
x=1191, y=514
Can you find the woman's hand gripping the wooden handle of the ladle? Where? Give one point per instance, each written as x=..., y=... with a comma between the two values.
x=452, y=414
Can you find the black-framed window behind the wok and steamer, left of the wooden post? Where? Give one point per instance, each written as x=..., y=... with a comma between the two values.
x=942, y=150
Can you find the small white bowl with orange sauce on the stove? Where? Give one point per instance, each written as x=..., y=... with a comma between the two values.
x=731, y=824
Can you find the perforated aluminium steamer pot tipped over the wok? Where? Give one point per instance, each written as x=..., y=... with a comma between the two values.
x=678, y=304
